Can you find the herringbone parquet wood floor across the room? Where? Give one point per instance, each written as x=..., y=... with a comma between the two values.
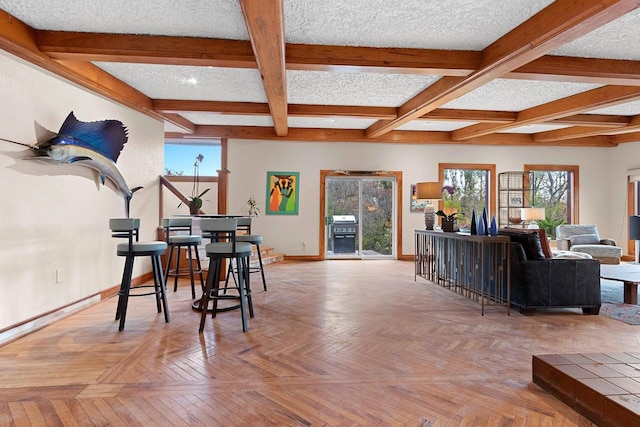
x=332, y=343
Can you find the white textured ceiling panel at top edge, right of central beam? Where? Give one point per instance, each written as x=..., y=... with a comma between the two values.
x=450, y=24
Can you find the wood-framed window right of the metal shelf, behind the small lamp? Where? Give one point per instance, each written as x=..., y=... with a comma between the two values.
x=555, y=190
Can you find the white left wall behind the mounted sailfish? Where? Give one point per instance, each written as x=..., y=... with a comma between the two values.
x=56, y=217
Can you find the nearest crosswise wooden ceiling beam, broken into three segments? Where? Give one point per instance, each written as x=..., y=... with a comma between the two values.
x=195, y=51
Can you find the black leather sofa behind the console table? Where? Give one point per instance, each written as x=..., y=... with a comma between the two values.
x=538, y=281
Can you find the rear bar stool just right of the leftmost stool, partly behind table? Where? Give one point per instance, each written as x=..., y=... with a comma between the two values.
x=190, y=243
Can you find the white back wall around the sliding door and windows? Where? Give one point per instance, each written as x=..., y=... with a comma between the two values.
x=601, y=169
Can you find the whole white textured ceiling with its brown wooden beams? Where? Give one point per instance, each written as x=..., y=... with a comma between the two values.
x=517, y=72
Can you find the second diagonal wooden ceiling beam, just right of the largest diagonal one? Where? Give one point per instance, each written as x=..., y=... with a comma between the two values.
x=596, y=98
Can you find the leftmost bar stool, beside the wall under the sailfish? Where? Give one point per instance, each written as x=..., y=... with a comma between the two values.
x=128, y=228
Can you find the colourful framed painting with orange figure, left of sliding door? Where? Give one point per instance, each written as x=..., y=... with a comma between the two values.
x=283, y=190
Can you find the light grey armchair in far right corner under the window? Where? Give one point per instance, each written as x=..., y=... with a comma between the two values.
x=585, y=239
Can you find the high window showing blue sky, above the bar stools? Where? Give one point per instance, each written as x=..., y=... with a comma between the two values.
x=179, y=158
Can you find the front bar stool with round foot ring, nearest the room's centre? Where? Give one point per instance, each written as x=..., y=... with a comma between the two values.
x=224, y=246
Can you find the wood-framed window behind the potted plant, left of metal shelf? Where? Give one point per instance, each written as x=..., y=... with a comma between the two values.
x=467, y=187
